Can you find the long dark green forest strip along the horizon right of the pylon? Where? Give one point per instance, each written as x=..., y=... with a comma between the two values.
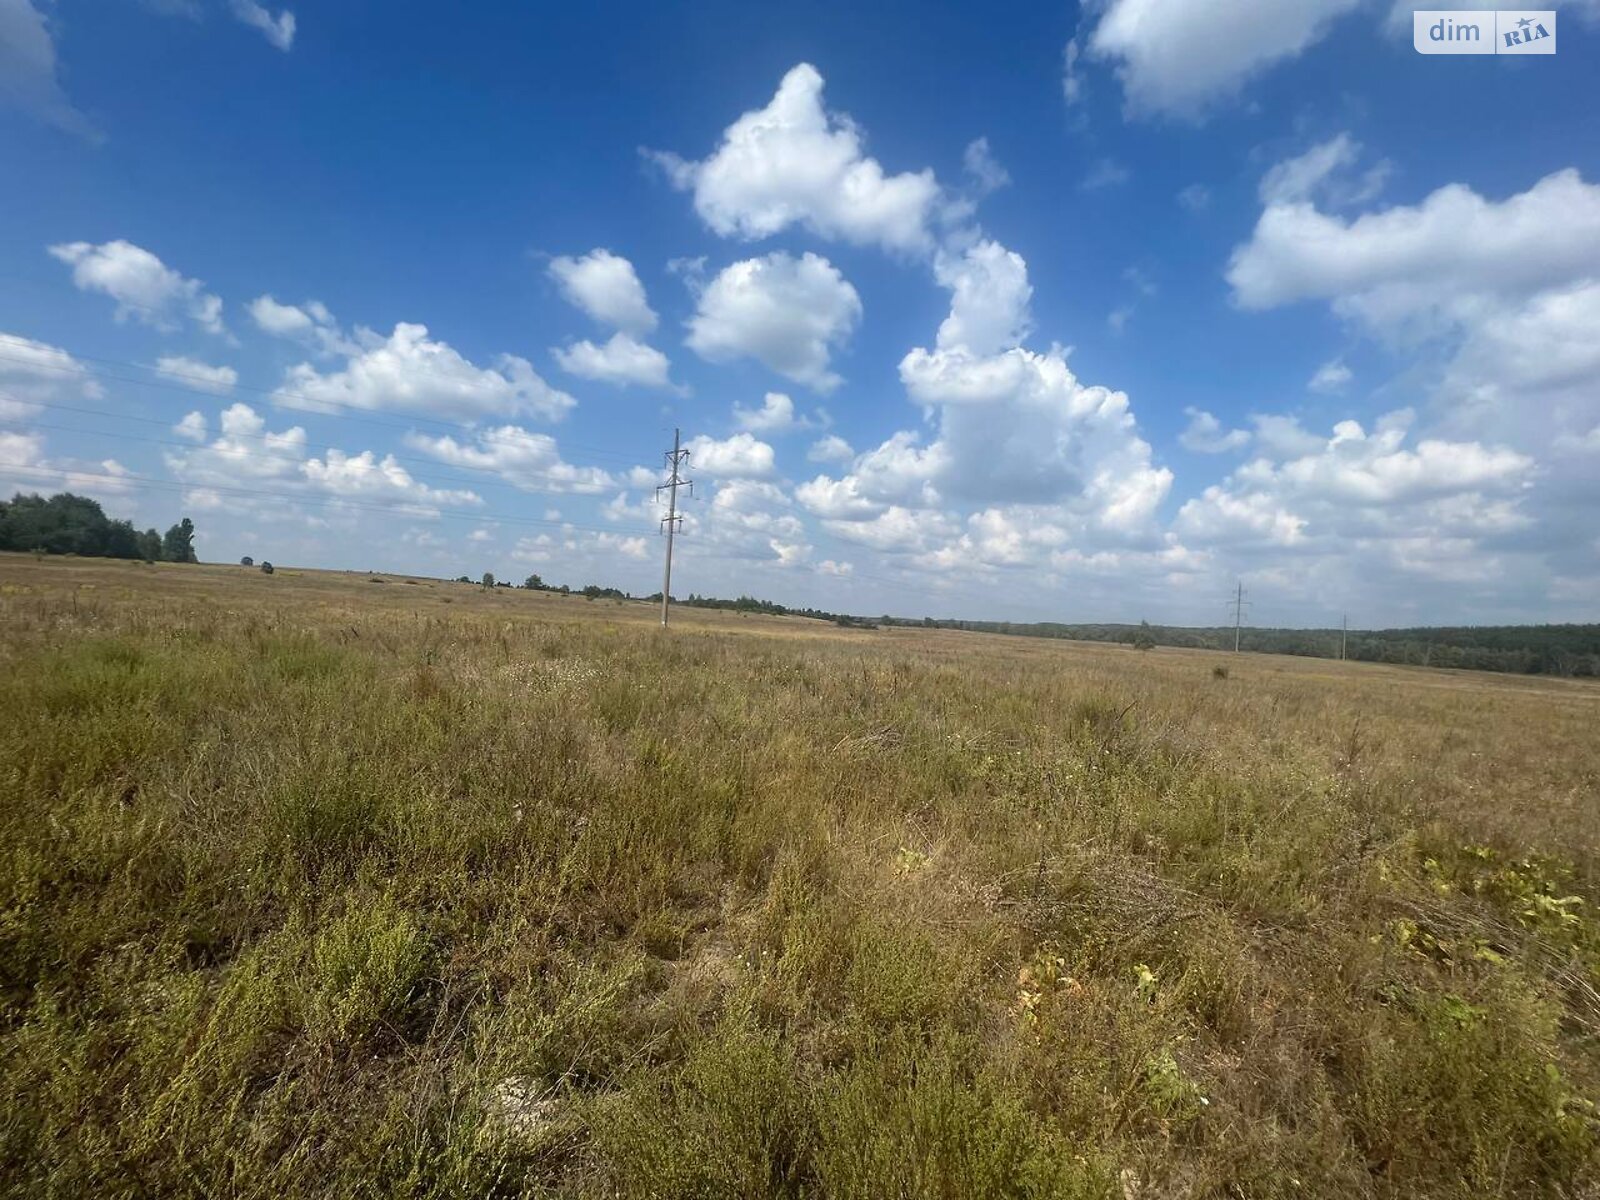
x=1522, y=650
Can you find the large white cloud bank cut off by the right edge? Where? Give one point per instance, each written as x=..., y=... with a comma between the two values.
x=1495, y=300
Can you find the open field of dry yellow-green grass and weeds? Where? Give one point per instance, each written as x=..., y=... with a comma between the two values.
x=319, y=886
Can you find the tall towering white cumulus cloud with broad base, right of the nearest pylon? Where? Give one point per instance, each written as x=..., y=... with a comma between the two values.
x=1025, y=460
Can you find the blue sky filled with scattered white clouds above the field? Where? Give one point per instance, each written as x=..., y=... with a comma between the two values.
x=1031, y=313
